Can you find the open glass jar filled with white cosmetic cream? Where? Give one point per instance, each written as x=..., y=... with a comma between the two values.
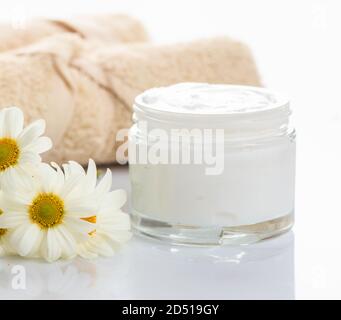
x=211, y=164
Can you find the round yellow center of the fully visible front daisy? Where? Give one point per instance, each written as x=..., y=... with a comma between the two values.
x=47, y=210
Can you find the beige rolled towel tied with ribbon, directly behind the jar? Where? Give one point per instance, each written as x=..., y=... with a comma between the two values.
x=86, y=93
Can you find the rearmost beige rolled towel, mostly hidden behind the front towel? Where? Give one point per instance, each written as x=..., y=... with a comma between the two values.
x=104, y=28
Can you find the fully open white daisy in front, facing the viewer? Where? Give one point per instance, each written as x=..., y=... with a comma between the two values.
x=44, y=213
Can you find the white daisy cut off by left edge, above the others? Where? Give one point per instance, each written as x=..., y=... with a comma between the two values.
x=20, y=147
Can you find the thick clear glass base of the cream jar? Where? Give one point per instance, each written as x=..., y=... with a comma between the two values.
x=210, y=236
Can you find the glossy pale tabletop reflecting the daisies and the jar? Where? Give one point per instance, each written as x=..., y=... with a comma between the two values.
x=148, y=269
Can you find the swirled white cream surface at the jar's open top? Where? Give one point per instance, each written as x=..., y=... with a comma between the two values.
x=203, y=98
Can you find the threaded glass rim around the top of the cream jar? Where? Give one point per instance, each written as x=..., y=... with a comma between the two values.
x=272, y=121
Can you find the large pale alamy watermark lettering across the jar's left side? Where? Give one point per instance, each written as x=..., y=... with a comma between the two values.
x=173, y=146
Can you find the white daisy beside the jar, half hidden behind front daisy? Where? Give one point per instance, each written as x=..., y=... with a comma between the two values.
x=112, y=226
